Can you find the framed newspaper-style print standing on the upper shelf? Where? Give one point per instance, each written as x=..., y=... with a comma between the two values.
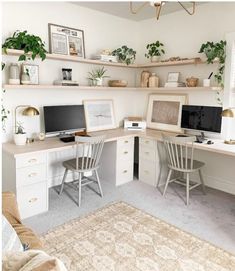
x=66, y=40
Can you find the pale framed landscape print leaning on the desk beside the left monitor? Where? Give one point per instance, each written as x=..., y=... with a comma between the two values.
x=99, y=115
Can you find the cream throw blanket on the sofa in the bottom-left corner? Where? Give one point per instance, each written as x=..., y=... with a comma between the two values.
x=31, y=260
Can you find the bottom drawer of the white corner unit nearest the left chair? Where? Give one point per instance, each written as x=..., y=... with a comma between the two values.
x=124, y=173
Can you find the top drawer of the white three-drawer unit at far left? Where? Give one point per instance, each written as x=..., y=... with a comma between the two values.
x=30, y=160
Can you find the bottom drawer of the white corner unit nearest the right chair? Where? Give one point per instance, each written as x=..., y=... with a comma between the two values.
x=147, y=172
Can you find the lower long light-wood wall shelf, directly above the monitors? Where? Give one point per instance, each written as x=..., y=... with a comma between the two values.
x=110, y=88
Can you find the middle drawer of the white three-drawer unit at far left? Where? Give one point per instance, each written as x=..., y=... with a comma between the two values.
x=30, y=175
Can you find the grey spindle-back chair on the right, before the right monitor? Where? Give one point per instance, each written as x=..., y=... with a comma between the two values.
x=180, y=152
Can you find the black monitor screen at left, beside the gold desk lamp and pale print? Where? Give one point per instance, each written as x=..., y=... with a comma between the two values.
x=64, y=118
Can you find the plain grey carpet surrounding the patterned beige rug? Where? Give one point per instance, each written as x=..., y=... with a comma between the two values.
x=210, y=217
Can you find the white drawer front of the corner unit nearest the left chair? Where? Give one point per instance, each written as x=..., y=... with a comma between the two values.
x=125, y=161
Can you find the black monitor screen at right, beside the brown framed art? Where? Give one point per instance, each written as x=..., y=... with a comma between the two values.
x=202, y=118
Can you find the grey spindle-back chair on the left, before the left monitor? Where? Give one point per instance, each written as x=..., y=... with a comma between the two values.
x=88, y=152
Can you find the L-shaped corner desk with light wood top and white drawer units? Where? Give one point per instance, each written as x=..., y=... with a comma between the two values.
x=30, y=170
